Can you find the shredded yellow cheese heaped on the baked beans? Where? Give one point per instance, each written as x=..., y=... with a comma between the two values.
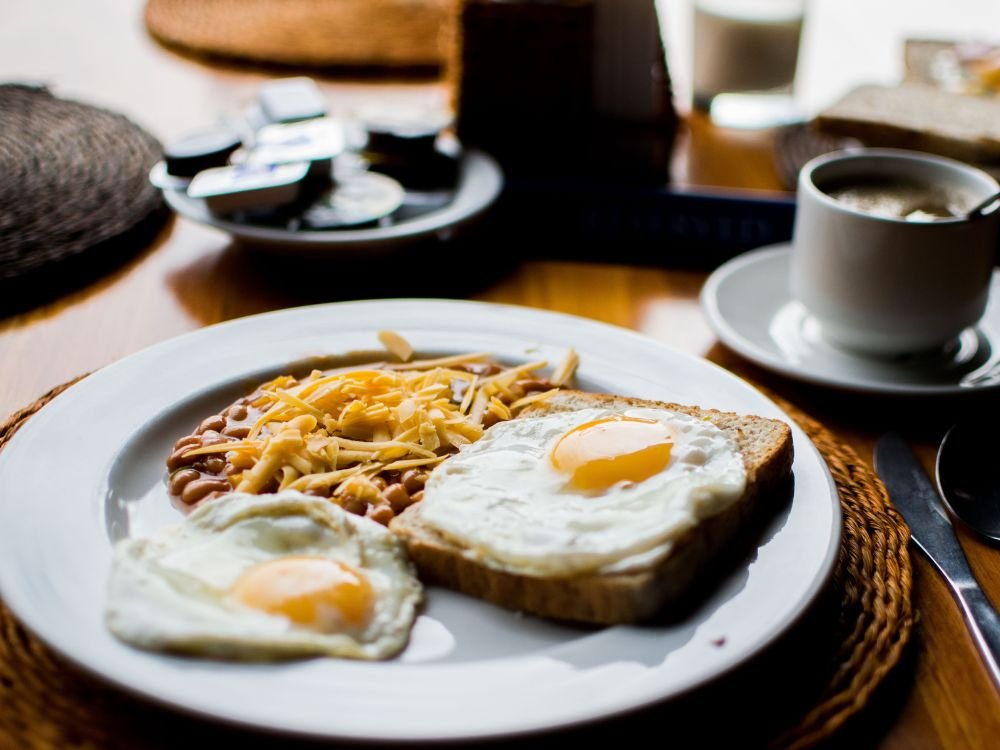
x=333, y=432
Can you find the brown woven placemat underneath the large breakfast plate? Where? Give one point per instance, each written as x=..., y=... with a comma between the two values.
x=45, y=703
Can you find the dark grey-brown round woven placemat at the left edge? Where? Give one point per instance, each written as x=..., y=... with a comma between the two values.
x=74, y=195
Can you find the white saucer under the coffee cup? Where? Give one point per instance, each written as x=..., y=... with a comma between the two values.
x=750, y=309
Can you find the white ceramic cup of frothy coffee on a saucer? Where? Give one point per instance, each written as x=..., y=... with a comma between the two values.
x=887, y=286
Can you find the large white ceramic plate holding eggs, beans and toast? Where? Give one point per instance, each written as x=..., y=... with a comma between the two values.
x=88, y=469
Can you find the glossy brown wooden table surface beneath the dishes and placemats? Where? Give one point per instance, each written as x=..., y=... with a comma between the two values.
x=192, y=276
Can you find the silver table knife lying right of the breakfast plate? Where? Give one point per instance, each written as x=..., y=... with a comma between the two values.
x=916, y=498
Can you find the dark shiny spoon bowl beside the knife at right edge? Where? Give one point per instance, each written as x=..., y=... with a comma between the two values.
x=968, y=476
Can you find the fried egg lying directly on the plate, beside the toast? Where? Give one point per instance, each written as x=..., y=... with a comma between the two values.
x=265, y=577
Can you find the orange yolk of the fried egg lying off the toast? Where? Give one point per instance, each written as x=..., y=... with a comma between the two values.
x=312, y=592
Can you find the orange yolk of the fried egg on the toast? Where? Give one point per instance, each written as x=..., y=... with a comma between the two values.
x=602, y=453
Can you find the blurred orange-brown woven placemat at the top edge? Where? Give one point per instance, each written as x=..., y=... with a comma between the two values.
x=308, y=33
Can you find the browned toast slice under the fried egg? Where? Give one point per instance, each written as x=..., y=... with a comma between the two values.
x=614, y=597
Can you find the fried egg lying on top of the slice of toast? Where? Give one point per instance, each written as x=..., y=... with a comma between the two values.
x=574, y=492
